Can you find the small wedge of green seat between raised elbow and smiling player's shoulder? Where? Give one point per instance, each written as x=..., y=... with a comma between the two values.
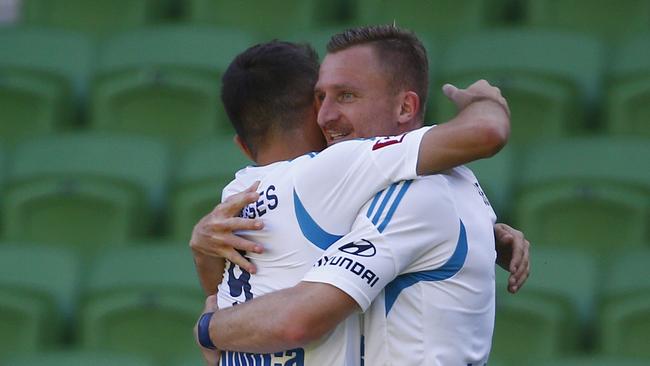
x=496, y=176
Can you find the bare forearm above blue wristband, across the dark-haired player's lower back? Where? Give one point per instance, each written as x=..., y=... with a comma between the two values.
x=282, y=320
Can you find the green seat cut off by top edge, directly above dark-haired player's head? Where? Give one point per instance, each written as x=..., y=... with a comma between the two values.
x=270, y=19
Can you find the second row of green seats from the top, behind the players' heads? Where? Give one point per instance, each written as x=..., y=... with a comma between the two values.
x=165, y=81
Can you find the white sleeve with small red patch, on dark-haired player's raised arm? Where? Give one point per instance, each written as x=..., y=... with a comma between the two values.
x=344, y=176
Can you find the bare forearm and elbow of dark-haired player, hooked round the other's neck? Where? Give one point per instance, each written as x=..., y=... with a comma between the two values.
x=479, y=131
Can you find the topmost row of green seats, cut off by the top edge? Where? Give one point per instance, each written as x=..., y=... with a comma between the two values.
x=279, y=17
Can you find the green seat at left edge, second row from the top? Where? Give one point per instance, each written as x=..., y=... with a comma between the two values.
x=42, y=74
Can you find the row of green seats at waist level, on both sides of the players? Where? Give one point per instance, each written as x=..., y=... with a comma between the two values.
x=144, y=301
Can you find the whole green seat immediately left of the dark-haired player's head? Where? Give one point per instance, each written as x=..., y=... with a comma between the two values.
x=165, y=82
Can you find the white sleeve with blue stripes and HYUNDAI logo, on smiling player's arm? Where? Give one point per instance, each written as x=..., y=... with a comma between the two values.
x=421, y=235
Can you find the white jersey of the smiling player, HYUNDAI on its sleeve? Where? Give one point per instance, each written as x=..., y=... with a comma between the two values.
x=424, y=253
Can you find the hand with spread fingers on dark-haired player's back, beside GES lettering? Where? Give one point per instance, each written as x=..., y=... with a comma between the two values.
x=213, y=234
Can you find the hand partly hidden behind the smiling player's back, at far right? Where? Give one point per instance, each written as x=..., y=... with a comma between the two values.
x=512, y=255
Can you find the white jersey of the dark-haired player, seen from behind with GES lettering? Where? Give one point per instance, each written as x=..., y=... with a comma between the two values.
x=303, y=202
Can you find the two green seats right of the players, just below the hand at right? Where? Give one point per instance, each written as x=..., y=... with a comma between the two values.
x=574, y=304
